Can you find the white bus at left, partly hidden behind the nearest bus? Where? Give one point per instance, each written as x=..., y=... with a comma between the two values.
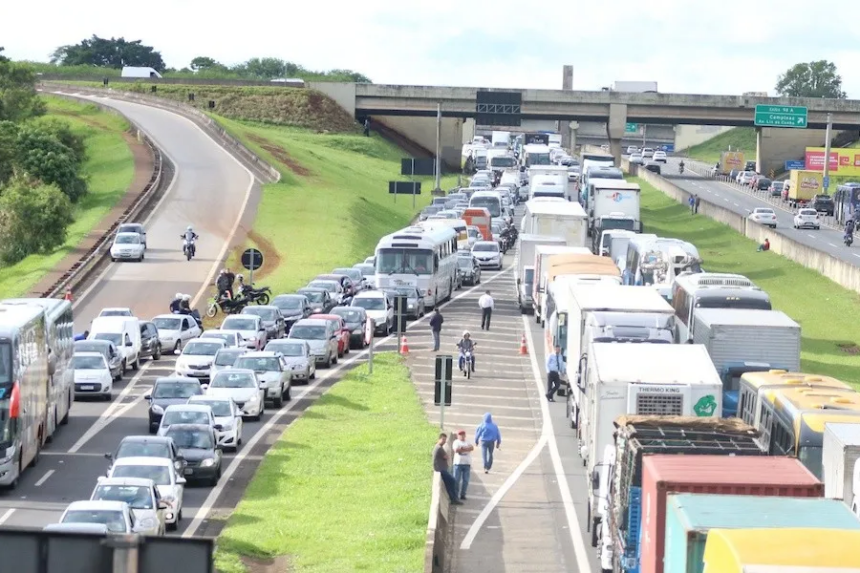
x=59, y=321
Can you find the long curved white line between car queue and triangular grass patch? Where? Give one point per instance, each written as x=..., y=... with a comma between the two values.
x=208, y=504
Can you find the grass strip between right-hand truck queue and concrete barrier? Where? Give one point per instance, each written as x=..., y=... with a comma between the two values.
x=825, y=311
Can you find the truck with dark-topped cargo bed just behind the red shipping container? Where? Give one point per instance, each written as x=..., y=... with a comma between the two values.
x=620, y=479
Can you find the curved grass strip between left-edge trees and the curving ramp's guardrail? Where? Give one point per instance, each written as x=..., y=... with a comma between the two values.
x=109, y=169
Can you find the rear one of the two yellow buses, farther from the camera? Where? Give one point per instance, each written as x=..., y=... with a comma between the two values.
x=756, y=387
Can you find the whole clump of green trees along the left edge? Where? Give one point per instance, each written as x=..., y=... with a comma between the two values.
x=41, y=165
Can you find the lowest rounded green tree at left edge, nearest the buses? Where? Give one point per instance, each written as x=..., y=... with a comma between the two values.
x=34, y=218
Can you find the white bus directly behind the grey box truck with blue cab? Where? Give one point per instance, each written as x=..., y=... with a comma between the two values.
x=712, y=290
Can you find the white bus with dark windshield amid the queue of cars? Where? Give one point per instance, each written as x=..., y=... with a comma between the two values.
x=416, y=257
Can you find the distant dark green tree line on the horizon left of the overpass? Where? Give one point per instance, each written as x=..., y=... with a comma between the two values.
x=115, y=53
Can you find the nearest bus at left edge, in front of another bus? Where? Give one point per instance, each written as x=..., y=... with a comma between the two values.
x=24, y=389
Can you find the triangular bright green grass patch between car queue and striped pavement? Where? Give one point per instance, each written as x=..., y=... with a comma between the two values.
x=347, y=486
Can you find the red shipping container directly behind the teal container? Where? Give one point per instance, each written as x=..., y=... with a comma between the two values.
x=728, y=475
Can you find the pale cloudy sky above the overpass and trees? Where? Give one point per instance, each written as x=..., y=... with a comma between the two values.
x=686, y=46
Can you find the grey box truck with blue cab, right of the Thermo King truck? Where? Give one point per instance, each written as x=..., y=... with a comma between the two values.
x=746, y=335
